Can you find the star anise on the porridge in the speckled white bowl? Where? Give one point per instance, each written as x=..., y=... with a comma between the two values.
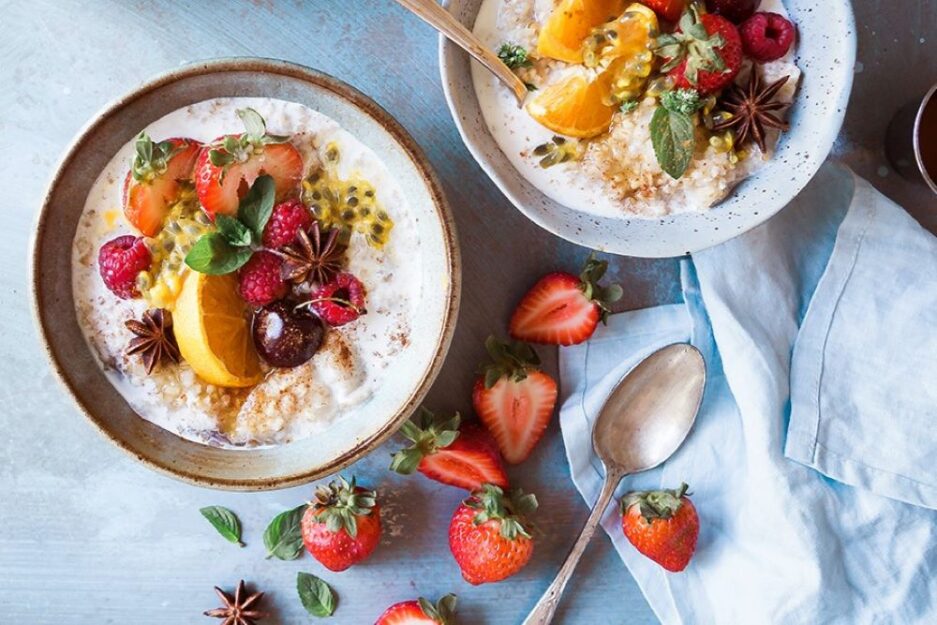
x=752, y=107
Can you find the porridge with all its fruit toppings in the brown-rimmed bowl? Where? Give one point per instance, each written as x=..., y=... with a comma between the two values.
x=332, y=269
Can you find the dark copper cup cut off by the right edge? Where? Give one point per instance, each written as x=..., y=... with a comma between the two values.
x=905, y=143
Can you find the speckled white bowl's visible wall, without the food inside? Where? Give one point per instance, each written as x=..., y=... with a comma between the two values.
x=826, y=53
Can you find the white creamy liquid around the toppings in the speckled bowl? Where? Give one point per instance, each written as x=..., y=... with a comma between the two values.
x=517, y=133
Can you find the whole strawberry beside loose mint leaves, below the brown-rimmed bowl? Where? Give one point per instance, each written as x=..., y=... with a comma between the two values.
x=342, y=525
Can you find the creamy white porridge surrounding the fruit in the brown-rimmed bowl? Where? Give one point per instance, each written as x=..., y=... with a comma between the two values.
x=288, y=404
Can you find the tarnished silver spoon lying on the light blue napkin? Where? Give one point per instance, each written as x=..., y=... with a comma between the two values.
x=643, y=422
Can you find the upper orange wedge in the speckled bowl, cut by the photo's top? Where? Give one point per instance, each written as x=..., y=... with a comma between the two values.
x=570, y=23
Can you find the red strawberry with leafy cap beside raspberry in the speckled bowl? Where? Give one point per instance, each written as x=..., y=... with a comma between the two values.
x=706, y=63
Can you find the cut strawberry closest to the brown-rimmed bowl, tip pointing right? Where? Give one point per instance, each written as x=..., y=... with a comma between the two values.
x=464, y=457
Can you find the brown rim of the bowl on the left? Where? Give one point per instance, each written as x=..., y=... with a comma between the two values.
x=415, y=154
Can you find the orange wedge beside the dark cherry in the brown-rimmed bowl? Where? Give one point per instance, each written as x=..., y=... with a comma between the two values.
x=212, y=329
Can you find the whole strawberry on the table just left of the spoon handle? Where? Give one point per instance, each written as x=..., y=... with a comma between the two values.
x=489, y=534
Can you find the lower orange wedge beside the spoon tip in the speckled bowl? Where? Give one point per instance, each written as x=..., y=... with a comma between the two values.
x=573, y=107
